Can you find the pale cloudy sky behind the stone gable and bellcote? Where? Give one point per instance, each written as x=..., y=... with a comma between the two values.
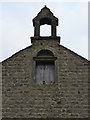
x=17, y=27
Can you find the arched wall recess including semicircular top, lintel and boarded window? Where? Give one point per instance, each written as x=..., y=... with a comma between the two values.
x=45, y=67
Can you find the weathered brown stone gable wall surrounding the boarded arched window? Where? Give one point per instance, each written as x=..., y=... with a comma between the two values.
x=67, y=97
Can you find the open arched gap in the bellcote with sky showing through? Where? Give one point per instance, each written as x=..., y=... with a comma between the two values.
x=45, y=30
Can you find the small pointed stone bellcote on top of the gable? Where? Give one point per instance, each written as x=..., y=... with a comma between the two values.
x=45, y=16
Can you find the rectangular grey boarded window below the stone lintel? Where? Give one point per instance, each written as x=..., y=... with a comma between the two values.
x=45, y=72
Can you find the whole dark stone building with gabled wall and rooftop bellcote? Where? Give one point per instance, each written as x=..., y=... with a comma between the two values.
x=45, y=80
